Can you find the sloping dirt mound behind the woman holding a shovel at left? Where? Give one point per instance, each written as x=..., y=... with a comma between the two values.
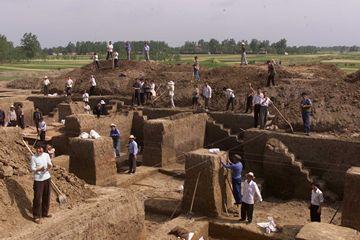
x=16, y=183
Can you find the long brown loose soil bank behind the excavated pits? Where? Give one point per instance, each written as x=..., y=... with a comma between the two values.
x=336, y=101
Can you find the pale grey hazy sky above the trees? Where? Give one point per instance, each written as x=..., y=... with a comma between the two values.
x=301, y=22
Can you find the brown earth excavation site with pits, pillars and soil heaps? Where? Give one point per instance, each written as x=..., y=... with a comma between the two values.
x=180, y=189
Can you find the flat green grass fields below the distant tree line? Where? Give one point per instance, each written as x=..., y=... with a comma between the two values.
x=349, y=62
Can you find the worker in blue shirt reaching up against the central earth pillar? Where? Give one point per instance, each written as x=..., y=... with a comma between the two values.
x=236, y=169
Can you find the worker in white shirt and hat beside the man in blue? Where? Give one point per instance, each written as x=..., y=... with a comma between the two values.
x=250, y=190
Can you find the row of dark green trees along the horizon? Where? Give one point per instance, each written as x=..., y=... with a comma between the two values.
x=30, y=48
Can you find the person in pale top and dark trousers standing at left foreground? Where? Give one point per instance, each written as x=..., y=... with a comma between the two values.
x=40, y=164
